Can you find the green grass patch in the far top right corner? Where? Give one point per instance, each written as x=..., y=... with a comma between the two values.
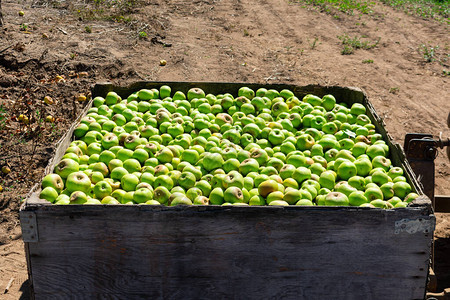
x=428, y=9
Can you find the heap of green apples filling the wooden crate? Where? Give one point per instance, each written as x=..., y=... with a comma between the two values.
x=263, y=147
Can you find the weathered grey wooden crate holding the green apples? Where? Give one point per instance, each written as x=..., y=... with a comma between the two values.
x=223, y=252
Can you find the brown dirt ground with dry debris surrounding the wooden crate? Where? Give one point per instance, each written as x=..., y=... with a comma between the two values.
x=267, y=41
